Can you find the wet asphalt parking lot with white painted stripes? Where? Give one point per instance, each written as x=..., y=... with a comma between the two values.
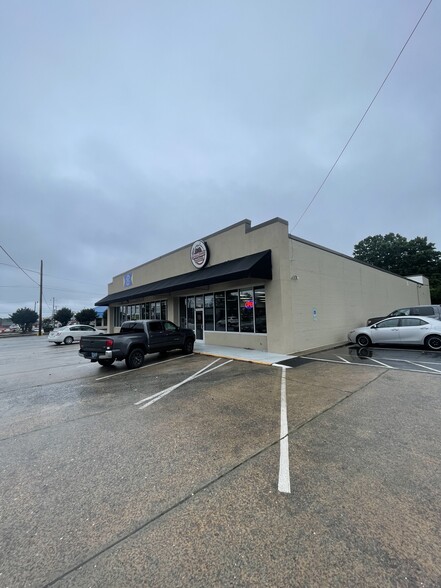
x=203, y=471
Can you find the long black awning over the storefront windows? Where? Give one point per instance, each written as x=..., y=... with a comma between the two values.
x=257, y=265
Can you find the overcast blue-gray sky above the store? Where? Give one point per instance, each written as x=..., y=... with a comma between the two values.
x=131, y=128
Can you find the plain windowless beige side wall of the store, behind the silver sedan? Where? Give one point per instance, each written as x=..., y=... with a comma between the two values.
x=332, y=294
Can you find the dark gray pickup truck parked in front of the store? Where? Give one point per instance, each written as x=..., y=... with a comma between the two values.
x=134, y=341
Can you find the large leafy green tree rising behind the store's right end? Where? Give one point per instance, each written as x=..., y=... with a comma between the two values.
x=404, y=257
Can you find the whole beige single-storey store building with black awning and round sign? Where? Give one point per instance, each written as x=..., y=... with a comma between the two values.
x=260, y=288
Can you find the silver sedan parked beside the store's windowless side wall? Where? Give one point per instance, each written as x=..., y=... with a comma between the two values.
x=409, y=330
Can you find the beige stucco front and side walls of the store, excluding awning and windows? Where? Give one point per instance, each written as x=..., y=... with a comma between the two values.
x=315, y=297
